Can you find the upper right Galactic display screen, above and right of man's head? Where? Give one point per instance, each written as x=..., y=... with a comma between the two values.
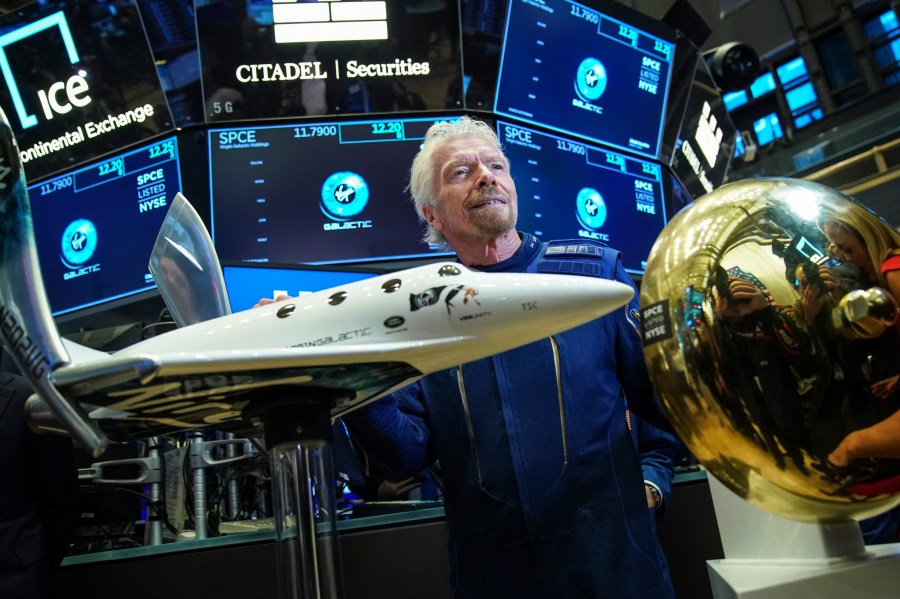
x=599, y=74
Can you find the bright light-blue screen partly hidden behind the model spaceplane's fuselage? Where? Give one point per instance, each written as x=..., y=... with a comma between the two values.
x=247, y=283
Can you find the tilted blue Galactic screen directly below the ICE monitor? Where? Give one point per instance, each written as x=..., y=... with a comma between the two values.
x=95, y=227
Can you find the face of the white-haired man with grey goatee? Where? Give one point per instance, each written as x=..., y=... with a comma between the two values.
x=476, y=196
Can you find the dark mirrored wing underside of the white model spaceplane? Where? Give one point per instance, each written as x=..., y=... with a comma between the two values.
x=143, y=395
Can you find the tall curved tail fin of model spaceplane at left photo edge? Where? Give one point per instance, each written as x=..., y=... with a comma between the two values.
x=26, y=324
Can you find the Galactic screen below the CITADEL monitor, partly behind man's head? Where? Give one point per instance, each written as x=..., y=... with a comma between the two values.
x=322, y=192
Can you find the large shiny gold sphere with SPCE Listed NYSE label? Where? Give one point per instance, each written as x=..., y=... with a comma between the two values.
x=751, y=351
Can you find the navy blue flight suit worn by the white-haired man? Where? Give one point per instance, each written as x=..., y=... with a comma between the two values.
x=544, y=495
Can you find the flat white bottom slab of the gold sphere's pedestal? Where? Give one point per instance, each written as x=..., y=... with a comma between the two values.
x=876, y=576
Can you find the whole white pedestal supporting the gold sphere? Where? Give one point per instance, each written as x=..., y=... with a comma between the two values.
x=770, y=557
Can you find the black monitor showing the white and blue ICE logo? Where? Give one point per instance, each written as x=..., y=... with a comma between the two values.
x=79, y=82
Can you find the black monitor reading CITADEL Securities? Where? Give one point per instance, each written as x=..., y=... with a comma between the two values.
x=307, y=58
